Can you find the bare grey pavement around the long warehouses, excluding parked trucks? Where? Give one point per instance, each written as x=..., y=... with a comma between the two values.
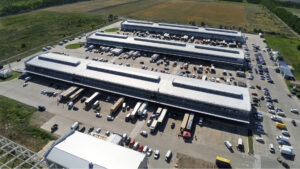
x=207, y=141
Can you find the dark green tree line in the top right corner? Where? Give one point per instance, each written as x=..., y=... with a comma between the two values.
x=286, y=16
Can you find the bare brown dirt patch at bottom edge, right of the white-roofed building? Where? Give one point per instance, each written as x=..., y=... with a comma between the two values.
x=185, y=161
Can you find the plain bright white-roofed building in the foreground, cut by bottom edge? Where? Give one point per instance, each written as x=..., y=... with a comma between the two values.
x=79, y=150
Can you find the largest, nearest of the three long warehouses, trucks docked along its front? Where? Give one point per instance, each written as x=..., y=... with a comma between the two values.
x=214, y=99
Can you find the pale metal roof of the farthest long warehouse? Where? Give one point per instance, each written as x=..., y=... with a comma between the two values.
x=185, y=28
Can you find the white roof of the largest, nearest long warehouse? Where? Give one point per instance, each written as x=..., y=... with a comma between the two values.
x=176, y=87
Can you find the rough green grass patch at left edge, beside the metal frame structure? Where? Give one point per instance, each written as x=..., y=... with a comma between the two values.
x=14, y=125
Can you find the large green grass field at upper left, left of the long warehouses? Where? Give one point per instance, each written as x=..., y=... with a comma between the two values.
x=25, y=31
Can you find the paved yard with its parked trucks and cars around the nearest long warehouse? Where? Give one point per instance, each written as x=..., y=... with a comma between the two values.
x=99, y=109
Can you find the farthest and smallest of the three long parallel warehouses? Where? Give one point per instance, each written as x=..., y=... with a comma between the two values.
x=201, y=32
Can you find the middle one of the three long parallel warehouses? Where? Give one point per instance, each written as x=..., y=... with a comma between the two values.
x=203, y=52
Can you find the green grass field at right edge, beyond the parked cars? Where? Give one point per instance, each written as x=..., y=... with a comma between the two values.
x=288, y=49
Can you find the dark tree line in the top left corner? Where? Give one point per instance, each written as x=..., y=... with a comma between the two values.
x=28, y=5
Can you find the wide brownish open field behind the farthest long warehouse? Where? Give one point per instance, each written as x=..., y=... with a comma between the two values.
x=243, y=16
